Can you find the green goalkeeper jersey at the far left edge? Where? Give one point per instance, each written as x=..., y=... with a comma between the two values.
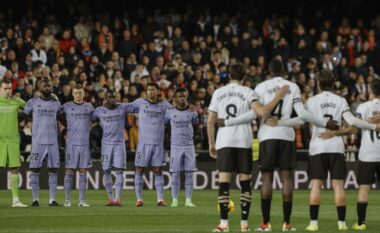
x=9, y=109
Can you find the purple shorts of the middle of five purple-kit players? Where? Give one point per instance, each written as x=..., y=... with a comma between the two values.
x=114, y=156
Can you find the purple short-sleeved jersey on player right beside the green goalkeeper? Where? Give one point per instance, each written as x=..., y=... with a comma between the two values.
x=44, y=114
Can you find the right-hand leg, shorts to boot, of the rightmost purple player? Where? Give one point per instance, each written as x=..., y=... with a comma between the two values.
x=189, y=164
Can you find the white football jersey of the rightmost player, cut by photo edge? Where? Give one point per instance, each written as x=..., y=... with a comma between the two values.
x=370, y=144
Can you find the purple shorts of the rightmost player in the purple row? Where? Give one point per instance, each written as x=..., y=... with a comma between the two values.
x=182, y=159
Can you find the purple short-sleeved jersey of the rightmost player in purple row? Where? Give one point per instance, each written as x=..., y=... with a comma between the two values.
x=181, y=124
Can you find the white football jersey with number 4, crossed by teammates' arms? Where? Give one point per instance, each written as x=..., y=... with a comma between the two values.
x=265, y=92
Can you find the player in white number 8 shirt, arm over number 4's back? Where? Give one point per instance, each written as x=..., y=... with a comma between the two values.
x=232, y=149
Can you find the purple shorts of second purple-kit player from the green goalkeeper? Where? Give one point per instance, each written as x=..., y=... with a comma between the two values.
x=77, y=156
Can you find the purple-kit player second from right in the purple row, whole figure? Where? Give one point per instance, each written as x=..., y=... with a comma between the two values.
x=150, y=147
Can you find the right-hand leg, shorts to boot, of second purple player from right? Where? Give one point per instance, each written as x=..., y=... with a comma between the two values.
x=157, y=162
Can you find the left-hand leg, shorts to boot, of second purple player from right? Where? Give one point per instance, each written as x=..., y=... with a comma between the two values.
x=142, y=159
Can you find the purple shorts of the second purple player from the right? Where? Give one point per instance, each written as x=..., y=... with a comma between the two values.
x=147, y=154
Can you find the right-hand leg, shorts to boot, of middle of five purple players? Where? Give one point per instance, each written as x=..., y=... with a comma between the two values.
x=119, y=165
